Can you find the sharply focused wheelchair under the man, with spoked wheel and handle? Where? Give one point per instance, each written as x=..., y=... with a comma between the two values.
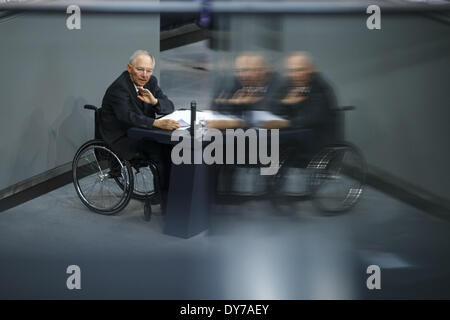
x=105, y=183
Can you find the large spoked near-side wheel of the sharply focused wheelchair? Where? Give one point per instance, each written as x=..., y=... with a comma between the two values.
x=94, y=169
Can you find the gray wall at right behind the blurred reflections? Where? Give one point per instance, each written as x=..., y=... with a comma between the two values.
x=398, y=77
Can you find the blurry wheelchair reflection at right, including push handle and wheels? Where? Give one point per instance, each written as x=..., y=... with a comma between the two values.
x=331, y=175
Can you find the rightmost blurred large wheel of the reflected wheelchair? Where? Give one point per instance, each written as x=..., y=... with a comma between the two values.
x=336, y=179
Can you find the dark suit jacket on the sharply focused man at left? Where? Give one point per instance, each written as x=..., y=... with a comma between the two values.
x=122, y=109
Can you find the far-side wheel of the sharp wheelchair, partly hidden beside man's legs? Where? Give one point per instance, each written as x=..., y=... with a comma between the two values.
x=143, y=182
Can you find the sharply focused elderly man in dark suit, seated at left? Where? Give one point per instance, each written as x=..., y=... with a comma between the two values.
x=133, y=100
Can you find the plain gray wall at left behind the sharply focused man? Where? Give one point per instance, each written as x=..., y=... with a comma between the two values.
x=49, y=73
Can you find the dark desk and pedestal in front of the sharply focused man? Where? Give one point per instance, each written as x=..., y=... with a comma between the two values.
x=189, y=190
